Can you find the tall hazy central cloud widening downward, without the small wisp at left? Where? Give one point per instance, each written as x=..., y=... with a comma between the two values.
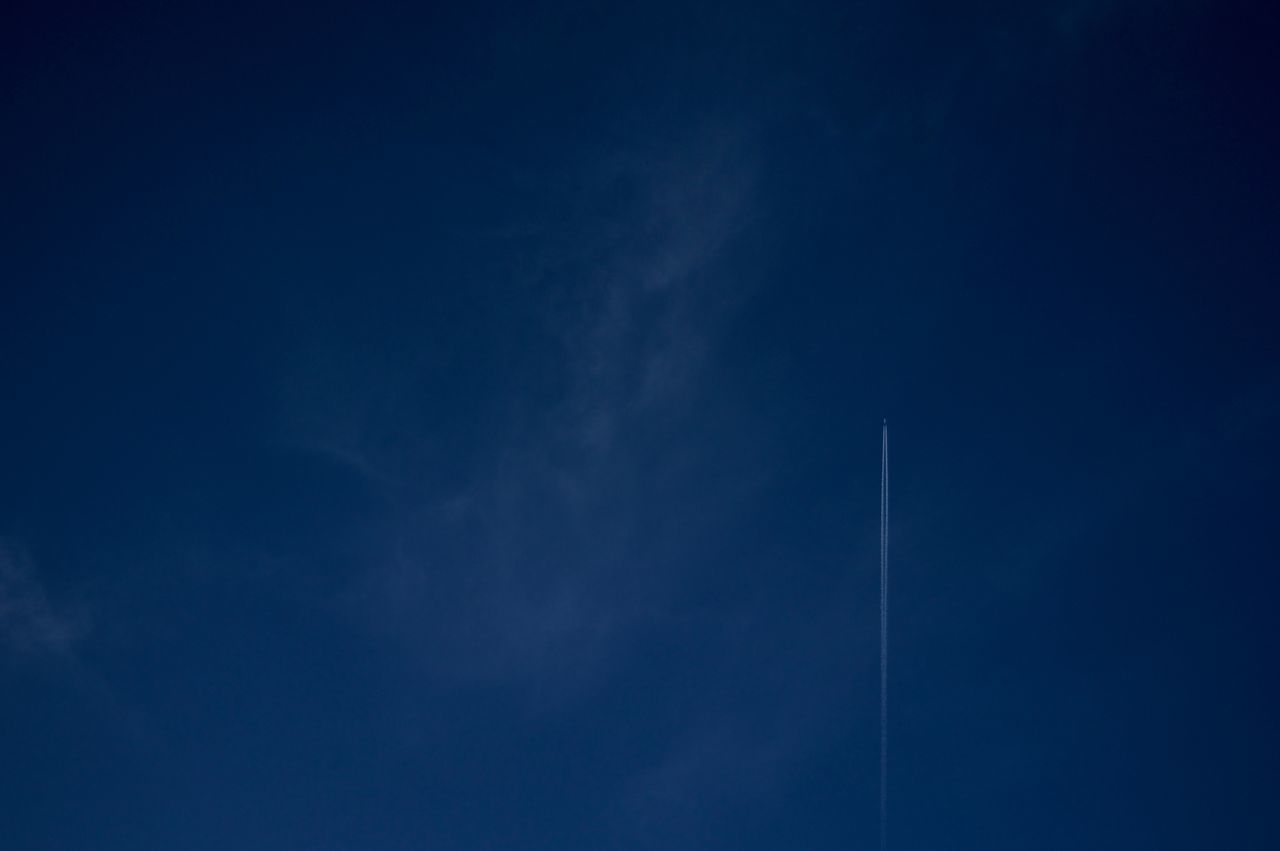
x=537, y=570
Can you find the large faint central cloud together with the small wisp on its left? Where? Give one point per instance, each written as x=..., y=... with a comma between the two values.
x=542, y=561
